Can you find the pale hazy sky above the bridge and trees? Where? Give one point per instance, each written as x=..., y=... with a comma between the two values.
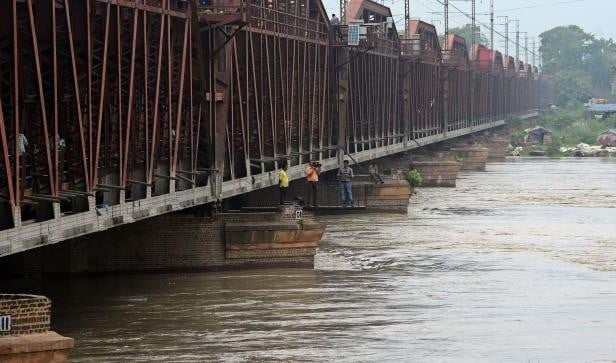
x=536, y=16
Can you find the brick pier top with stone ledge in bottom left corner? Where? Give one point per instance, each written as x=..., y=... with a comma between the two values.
x=25, y=334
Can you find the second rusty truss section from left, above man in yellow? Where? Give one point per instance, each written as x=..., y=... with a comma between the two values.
x=268, y=65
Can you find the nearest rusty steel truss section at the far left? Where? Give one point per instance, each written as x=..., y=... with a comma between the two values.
x=98, y=98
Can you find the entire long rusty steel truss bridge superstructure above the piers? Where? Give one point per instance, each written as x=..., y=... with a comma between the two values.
x=115, y=111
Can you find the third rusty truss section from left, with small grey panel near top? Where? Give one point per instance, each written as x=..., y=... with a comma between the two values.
x=369, y=75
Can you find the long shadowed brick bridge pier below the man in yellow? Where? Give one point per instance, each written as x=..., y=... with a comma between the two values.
x=288, y=237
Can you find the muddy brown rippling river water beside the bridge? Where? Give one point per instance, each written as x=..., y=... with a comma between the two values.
x=516, y=264
